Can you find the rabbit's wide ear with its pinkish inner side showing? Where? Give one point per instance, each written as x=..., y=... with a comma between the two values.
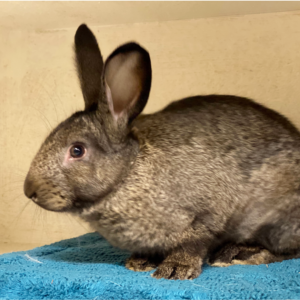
x=127, y=79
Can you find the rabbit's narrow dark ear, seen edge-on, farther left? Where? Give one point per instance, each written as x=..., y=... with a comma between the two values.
x=89, y=66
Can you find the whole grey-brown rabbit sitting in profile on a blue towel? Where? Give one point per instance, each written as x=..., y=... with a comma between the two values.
x=175, y=186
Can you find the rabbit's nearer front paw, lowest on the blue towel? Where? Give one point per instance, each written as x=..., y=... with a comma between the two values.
x=169, y=270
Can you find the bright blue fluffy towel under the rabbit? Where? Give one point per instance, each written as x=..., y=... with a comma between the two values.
x=87, y=267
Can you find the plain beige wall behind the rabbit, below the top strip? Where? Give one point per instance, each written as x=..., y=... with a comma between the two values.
x=256, y=56
